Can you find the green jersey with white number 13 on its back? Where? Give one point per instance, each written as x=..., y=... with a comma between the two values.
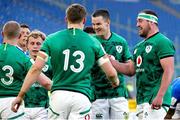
x=73, y=54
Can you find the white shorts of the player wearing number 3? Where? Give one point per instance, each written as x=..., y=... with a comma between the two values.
x=7, y=113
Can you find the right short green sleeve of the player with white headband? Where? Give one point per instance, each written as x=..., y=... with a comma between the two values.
x=165, y=48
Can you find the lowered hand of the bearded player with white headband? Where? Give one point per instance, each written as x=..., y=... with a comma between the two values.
x=157, y=102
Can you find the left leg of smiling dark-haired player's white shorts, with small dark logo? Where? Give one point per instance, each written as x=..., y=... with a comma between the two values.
x=100, y=109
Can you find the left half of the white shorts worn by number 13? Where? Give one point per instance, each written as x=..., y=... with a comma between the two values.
x=59, y=105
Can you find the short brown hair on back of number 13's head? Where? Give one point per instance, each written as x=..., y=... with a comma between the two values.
x=75, y=13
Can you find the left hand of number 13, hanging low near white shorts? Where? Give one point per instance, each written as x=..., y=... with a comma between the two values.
x=16, y=103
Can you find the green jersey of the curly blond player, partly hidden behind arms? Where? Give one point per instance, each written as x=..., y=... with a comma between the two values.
x=37, y=96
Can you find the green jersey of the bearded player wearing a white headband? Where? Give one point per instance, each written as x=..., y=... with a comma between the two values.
x=147, y=55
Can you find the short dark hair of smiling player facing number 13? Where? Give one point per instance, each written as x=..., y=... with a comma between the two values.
x=101, y=12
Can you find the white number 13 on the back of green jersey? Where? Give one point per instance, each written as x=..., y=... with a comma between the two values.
x=79, y=60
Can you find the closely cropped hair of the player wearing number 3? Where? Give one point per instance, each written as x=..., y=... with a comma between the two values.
x=11, y=29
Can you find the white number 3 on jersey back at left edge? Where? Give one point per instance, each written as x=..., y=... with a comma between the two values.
x=9, y=75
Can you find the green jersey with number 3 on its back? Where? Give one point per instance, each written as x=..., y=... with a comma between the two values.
x=14, y=65
